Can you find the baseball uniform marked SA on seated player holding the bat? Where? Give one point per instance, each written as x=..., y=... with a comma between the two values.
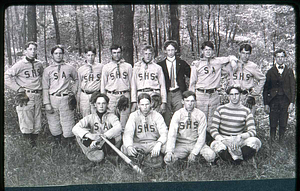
x=109, y=125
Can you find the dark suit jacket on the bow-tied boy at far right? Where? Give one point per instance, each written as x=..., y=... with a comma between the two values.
x=273, y=81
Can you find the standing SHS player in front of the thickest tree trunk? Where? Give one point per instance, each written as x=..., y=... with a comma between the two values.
x=115, y=81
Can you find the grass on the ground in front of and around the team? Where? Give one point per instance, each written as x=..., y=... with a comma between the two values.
x=48, y=164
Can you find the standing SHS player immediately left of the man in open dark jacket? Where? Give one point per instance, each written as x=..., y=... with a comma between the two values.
x=148, y=77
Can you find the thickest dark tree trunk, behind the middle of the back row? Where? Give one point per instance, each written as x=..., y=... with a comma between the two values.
x=123, y=29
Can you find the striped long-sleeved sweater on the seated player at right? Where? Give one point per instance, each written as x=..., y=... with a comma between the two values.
x=229, y=121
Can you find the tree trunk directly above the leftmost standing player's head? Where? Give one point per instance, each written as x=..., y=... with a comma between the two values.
x=32, y=28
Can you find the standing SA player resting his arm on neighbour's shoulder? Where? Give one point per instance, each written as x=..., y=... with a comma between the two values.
x=205, y=80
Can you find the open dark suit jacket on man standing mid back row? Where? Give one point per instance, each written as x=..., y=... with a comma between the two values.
x=183, y=70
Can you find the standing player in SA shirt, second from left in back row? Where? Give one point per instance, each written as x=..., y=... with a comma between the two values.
x=56, y=92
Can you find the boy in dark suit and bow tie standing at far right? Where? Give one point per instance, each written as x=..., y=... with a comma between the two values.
x=279, y=95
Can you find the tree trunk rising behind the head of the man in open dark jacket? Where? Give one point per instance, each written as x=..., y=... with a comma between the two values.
x=175, y=24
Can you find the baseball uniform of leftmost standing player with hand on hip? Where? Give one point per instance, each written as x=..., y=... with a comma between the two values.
x=27, y=74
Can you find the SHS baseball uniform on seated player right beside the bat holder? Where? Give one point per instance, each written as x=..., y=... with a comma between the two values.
x=144, y=132
